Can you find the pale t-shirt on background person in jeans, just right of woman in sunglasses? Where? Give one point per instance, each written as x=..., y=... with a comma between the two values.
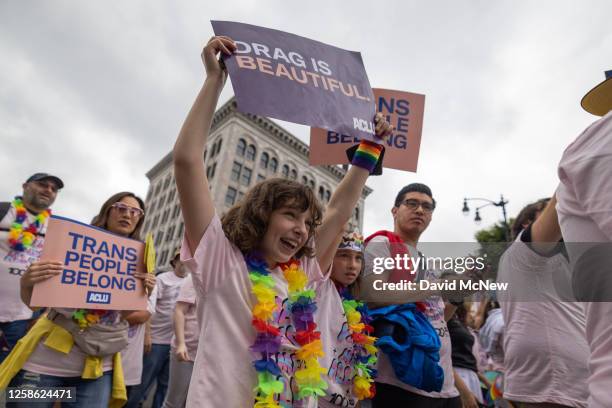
x=168, y=286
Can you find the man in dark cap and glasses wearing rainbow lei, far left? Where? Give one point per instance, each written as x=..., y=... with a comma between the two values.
x=23, y=223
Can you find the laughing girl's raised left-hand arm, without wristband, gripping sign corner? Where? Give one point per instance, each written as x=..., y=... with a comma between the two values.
x=191, y=181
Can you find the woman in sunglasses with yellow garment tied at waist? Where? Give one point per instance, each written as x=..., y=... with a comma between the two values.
x=50, y=357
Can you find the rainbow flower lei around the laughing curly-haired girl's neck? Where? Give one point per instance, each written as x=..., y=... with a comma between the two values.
x=268, y=340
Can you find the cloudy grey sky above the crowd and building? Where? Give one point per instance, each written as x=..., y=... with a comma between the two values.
x=96, y=92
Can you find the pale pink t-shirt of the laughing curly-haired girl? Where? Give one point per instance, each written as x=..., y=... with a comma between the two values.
x=223, y=374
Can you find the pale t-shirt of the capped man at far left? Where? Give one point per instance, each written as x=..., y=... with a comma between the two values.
x=12, y=265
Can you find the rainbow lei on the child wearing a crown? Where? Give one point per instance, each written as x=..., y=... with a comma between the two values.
x=364, y=349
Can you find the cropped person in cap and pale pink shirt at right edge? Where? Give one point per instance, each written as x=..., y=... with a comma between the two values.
x=585, y=215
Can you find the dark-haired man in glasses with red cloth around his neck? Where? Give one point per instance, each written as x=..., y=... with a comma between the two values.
x=412, y=213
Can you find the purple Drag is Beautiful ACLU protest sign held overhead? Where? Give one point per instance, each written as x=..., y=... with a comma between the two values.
x=292, y=78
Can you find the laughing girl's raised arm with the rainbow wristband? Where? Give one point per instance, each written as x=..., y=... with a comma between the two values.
x=342, y=204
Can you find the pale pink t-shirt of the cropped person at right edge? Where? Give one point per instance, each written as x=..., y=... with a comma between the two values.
x=584, y=206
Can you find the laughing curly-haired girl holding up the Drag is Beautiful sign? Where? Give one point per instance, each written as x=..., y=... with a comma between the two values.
x=252, y=270
